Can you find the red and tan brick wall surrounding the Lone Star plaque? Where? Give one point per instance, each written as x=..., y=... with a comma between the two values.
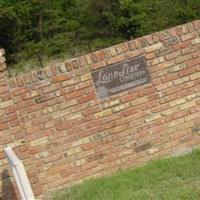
x=64, y=133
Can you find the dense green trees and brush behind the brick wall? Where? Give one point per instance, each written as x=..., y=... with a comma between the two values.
x=33, y=29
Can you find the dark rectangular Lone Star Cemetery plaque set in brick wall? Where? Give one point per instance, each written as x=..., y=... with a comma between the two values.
x=121, y=76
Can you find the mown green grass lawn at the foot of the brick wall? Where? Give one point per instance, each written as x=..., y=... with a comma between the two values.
x=176, y=178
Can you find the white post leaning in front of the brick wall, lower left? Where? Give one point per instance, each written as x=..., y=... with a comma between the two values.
x=19, y=172
